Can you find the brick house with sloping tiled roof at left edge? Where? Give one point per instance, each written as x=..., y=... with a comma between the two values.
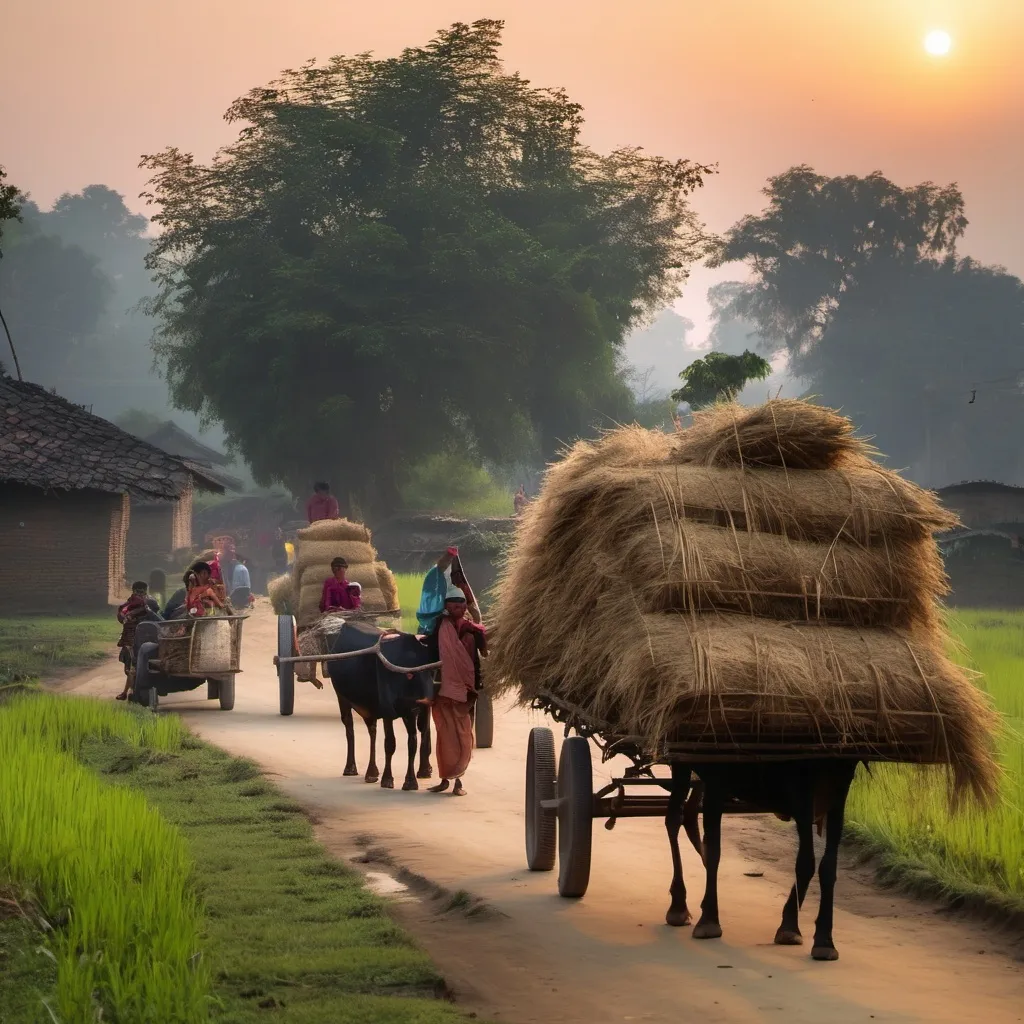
x=68, y=482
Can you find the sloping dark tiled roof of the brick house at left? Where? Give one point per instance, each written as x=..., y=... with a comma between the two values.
x=49, y=442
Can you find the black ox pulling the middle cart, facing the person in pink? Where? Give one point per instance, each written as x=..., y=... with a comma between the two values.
x=366, y=686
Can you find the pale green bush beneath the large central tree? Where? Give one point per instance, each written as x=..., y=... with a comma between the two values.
x=453, y=484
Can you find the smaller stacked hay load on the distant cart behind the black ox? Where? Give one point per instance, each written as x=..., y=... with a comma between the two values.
x=317, y=546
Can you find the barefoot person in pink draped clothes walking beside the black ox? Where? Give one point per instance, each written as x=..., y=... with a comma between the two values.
x=460, y=645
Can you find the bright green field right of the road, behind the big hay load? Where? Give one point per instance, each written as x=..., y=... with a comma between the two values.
x=902, y=813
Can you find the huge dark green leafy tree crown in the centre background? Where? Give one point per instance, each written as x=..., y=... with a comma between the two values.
x=403, y=255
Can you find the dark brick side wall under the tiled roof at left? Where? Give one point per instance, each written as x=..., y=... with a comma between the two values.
x=56, y=550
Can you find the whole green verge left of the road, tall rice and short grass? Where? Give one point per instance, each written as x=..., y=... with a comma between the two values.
x=182, y=886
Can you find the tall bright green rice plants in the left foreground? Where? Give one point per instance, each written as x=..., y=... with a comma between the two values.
x=110, y=877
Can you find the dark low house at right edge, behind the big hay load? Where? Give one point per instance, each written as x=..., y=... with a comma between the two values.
x=985, y=560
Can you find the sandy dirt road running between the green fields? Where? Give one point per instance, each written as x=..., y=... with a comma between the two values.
x=610, y=957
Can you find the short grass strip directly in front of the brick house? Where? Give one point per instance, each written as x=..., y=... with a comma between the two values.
x=34, y=648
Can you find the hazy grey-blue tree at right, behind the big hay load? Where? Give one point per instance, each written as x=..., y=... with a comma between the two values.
x=859, y=281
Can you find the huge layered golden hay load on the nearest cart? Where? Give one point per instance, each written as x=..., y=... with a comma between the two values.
x=755, y=586
